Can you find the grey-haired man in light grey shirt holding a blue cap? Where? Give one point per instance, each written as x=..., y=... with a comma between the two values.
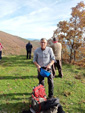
x=44, y=58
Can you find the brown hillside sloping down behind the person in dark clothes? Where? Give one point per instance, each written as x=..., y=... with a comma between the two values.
x=14, y=45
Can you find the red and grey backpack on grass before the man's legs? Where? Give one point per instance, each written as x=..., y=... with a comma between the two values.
x=38, y=96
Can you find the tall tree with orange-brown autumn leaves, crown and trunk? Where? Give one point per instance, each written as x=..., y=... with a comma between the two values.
x=71, y=32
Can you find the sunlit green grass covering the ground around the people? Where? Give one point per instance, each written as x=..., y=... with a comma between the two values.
x=18, y=76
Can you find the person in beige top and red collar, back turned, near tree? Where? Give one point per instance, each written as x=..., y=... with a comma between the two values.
x=57, y=49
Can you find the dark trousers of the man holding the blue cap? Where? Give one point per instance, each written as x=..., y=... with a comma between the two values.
x=50, y=83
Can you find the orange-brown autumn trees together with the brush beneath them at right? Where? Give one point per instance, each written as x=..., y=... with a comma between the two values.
x=72, y=34
